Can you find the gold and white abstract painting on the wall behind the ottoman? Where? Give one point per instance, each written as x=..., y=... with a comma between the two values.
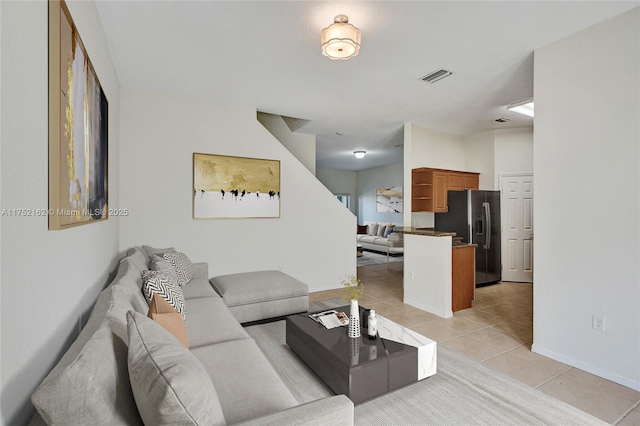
x=235, y=187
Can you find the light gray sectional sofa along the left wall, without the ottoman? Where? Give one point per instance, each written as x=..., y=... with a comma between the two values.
x=223, y=378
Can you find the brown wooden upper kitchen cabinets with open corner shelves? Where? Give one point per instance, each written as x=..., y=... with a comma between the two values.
x=429, y=187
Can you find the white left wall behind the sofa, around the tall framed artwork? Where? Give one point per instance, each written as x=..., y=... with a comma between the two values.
x=49, y=278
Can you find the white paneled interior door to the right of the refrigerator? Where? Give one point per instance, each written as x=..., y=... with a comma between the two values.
x=517, y=227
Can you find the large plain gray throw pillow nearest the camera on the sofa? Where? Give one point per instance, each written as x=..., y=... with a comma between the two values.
x=169, y=384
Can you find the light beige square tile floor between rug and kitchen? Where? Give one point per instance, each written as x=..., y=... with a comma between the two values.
x=497, y=332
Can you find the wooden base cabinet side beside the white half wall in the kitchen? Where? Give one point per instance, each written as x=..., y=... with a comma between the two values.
x=463, y=277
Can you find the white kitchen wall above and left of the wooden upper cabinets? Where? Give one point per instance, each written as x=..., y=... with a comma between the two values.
x=428, y=148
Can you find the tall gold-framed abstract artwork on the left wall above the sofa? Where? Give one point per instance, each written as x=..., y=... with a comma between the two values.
x=78, y=128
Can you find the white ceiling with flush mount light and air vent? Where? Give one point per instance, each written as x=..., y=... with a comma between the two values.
x=266, y=55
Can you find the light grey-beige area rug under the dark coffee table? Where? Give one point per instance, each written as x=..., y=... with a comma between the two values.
x=463, y=392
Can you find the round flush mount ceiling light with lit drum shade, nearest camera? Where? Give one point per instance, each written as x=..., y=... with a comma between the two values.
x=340, y=40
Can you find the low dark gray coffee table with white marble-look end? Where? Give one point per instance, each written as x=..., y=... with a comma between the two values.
x=361, y=368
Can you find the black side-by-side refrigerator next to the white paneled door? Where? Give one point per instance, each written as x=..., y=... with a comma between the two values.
x=474, y=215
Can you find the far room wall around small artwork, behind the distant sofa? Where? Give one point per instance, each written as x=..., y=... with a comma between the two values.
x=369, y=180
